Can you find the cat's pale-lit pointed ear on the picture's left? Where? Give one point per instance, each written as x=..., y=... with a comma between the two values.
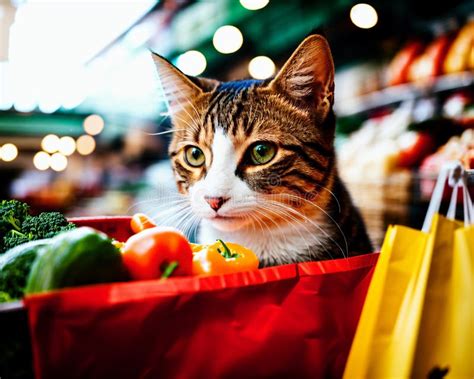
x=179, y=89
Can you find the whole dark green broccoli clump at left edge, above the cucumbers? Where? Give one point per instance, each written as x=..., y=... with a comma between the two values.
x=17, y=226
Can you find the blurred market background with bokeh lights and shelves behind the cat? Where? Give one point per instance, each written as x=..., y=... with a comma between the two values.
x=81, y=109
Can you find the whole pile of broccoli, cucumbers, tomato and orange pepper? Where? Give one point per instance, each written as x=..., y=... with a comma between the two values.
x=46, y=253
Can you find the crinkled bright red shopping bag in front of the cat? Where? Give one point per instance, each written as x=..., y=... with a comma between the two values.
x=293, y=321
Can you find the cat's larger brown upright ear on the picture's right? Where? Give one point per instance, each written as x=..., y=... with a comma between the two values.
x=309, y=75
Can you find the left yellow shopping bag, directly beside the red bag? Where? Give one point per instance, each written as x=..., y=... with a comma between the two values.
x=374, y=353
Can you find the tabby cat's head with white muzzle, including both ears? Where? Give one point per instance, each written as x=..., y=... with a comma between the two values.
x=248, y=152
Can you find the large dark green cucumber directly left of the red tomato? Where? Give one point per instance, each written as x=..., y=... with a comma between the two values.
x=77, y=257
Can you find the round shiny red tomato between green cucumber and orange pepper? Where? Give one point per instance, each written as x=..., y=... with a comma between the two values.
x=149, y=253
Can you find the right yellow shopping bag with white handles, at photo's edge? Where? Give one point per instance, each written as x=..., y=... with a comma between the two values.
x=445, y=340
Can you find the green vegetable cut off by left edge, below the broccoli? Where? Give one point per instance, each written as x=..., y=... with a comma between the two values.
x=15, y=265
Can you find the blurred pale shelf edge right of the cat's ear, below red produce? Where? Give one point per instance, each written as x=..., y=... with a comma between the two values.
x=403, y=92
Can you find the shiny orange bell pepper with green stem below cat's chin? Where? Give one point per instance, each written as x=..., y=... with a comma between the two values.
x=222, y=258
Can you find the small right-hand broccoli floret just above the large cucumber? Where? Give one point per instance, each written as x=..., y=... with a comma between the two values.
x=46, y=225
